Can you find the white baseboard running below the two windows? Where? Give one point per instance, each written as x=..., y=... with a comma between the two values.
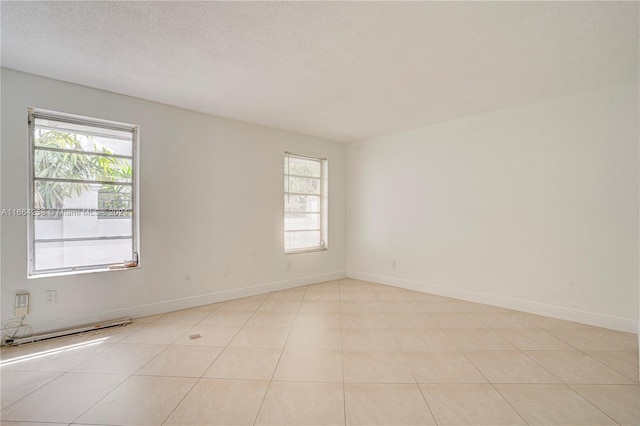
x=182, y=303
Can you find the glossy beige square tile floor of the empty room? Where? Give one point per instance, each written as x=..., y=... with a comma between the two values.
x=341, y=352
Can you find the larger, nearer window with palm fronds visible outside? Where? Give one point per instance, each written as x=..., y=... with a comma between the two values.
x=83, y=175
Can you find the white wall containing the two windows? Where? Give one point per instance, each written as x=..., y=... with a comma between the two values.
x=201, y=180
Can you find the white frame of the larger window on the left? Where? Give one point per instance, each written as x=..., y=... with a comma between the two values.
x=36, y=113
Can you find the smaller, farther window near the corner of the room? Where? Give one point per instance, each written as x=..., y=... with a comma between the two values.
x=305, y=203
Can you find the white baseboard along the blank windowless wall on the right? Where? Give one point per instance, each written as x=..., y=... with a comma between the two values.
x=559, y=312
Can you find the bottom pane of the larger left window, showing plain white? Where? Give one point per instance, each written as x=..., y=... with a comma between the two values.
x=73, y=254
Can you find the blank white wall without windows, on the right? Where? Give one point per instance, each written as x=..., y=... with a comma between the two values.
x=533, y=208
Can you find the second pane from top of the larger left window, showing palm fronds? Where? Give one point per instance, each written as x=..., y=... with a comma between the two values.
x=77, y=166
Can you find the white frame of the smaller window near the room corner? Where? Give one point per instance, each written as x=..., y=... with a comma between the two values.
x=324, y=222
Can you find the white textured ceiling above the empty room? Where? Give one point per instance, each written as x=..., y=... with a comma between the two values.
x=339, y=70
